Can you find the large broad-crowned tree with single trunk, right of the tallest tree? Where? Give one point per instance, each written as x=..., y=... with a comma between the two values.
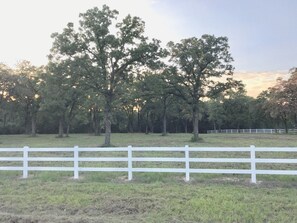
x=200, y=66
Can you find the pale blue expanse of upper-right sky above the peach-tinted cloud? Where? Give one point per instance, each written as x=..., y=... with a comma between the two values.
x=262, y=33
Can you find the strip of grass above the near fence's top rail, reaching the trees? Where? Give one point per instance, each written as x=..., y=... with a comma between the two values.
x=139, y=139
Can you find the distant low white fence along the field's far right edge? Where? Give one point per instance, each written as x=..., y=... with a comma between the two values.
x=253, y=131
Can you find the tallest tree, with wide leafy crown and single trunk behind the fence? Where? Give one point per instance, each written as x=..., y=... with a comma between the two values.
x=108, y=52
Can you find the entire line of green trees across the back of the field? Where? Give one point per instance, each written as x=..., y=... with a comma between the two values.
x=107, y=75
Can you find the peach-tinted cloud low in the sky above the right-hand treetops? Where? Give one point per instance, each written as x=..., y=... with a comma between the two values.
x=256, y=82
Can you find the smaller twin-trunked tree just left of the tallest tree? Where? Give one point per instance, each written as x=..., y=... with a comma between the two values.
x=61, y=92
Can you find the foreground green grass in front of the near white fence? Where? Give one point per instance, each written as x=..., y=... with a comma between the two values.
x=63, y=200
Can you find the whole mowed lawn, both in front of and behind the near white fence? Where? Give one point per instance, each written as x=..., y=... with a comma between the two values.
x=149, y=197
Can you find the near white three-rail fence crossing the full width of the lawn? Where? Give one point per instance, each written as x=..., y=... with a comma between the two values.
x=186, y=159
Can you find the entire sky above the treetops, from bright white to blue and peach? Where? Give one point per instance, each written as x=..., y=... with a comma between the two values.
x=262, y=33
